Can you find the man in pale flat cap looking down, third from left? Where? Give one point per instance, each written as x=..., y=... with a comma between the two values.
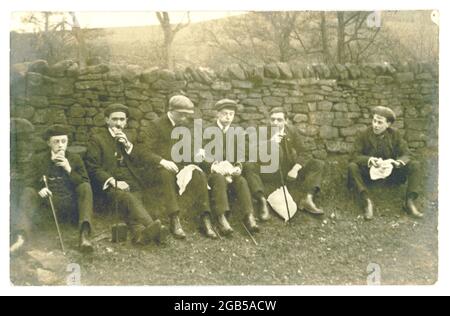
x=159, y=143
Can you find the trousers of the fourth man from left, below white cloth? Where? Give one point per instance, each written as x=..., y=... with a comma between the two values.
x=221, y=190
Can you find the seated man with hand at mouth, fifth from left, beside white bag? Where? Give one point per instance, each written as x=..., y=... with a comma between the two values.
x=294, y=170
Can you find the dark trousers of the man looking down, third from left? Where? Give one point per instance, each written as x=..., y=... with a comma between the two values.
x=198, y=189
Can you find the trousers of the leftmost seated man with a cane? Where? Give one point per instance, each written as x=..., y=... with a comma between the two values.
x=76, y=207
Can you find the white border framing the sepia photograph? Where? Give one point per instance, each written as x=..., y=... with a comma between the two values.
x=230, y=5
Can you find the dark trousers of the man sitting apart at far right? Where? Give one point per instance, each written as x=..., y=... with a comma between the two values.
x=359, y=177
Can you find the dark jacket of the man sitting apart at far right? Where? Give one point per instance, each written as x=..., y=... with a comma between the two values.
x=390, y=145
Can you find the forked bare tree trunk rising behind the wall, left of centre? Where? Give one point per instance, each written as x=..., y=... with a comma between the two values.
x=170, y=32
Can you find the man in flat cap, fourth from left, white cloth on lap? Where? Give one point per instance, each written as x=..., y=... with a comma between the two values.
x=226, y=175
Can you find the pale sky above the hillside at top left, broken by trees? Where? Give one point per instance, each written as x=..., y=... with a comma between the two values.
x=123, y=19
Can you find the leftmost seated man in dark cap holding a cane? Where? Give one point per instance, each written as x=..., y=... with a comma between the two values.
x=68, y=186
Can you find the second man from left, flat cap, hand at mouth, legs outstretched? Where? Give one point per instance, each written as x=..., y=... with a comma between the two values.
x=113, y=161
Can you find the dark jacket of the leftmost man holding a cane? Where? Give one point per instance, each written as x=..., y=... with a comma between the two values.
x=41, y=164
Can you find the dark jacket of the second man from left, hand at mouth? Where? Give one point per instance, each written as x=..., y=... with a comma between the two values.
x=102, y=160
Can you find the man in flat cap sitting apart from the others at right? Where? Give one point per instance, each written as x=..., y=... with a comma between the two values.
x=381, y=154
